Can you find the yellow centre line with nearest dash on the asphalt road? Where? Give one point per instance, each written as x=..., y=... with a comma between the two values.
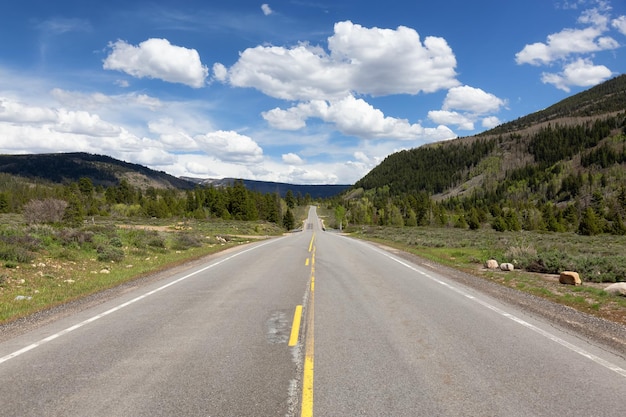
x=307, y=376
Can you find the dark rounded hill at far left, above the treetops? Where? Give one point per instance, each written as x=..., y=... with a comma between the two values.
x=102, y=170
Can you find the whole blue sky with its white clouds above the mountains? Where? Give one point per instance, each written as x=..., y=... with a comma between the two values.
x=297, y=91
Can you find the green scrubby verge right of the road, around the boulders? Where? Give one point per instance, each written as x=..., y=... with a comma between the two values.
x=538, y=258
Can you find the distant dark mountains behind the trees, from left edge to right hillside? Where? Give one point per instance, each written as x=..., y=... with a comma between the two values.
x=106, y=171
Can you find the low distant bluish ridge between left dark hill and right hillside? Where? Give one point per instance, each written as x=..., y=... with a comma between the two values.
x=264, y=187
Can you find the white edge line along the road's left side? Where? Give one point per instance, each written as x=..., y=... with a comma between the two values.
x=126, y=304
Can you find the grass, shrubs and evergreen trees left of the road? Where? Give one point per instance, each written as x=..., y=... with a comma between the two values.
x=60, y=242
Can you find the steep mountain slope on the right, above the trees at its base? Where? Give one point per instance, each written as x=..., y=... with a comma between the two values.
x=535, y=157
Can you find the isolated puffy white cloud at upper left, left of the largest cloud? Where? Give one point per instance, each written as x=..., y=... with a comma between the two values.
x=157, y=58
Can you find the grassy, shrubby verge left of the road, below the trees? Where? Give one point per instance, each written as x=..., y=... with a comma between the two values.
x=44, y=266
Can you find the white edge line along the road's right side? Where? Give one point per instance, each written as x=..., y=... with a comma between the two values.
x=514, y=318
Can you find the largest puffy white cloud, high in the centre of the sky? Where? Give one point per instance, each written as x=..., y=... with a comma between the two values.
x=361, y=60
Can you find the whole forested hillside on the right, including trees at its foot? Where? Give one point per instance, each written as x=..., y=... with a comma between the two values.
x=560, y=169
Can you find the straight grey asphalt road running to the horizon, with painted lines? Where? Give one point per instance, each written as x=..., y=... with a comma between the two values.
x=377, y=336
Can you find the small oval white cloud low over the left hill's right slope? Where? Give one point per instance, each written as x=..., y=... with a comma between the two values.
x=230, y=146
